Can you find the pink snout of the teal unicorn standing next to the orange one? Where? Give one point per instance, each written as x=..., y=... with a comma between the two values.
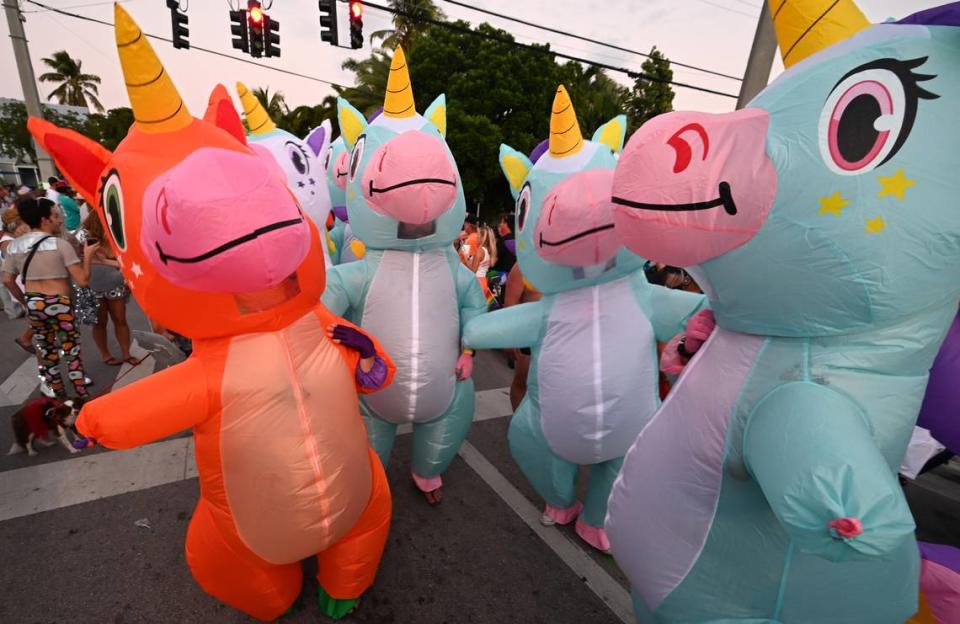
x=411, y=179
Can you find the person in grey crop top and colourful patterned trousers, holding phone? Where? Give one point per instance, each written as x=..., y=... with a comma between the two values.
x=46, y=263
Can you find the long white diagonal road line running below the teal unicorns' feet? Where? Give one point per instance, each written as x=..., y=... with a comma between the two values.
x=603, y=585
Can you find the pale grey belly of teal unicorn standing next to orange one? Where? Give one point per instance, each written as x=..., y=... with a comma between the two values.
x=412, y=306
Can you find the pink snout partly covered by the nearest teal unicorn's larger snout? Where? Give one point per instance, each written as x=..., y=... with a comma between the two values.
x=575, y=226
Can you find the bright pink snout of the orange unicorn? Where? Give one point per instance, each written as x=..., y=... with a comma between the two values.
x=223, y=221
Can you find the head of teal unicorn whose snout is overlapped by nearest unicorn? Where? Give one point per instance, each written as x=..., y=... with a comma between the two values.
x=564, y=224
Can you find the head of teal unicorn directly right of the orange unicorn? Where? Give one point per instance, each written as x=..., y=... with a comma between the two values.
x=403, y=188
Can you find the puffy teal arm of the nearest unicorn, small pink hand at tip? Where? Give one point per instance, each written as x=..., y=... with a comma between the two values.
x=800, y=444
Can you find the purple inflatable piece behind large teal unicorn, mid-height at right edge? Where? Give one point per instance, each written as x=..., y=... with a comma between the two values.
x=940, y=412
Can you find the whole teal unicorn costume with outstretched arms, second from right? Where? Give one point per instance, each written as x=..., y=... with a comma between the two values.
x=593, y=376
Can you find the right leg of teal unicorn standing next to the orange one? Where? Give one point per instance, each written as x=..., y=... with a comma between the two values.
x=436, y=443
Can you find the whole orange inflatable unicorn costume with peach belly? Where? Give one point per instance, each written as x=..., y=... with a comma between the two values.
x=216, y=247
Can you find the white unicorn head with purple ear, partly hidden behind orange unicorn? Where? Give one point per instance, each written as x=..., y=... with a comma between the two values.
x=300, y=160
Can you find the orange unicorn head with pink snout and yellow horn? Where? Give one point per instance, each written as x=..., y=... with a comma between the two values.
x=209, y=236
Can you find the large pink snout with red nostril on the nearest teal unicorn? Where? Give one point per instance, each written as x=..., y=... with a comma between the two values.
x=691, y=186
